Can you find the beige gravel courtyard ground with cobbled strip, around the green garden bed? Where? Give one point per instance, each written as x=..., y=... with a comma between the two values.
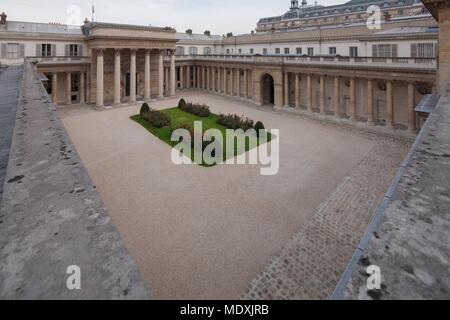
x=220, y=232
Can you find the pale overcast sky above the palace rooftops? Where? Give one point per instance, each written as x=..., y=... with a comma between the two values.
x=220, y=17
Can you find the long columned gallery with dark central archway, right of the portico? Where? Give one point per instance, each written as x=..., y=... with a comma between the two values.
x=382, y=97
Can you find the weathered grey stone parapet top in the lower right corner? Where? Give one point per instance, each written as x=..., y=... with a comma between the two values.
x=411, y=245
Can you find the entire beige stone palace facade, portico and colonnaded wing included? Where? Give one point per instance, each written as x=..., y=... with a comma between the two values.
x=105, y=64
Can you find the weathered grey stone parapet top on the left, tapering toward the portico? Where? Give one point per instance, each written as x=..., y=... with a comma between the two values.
x=52, y=216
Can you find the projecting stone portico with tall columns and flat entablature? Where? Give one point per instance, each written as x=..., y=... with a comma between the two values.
x=127, y=63
